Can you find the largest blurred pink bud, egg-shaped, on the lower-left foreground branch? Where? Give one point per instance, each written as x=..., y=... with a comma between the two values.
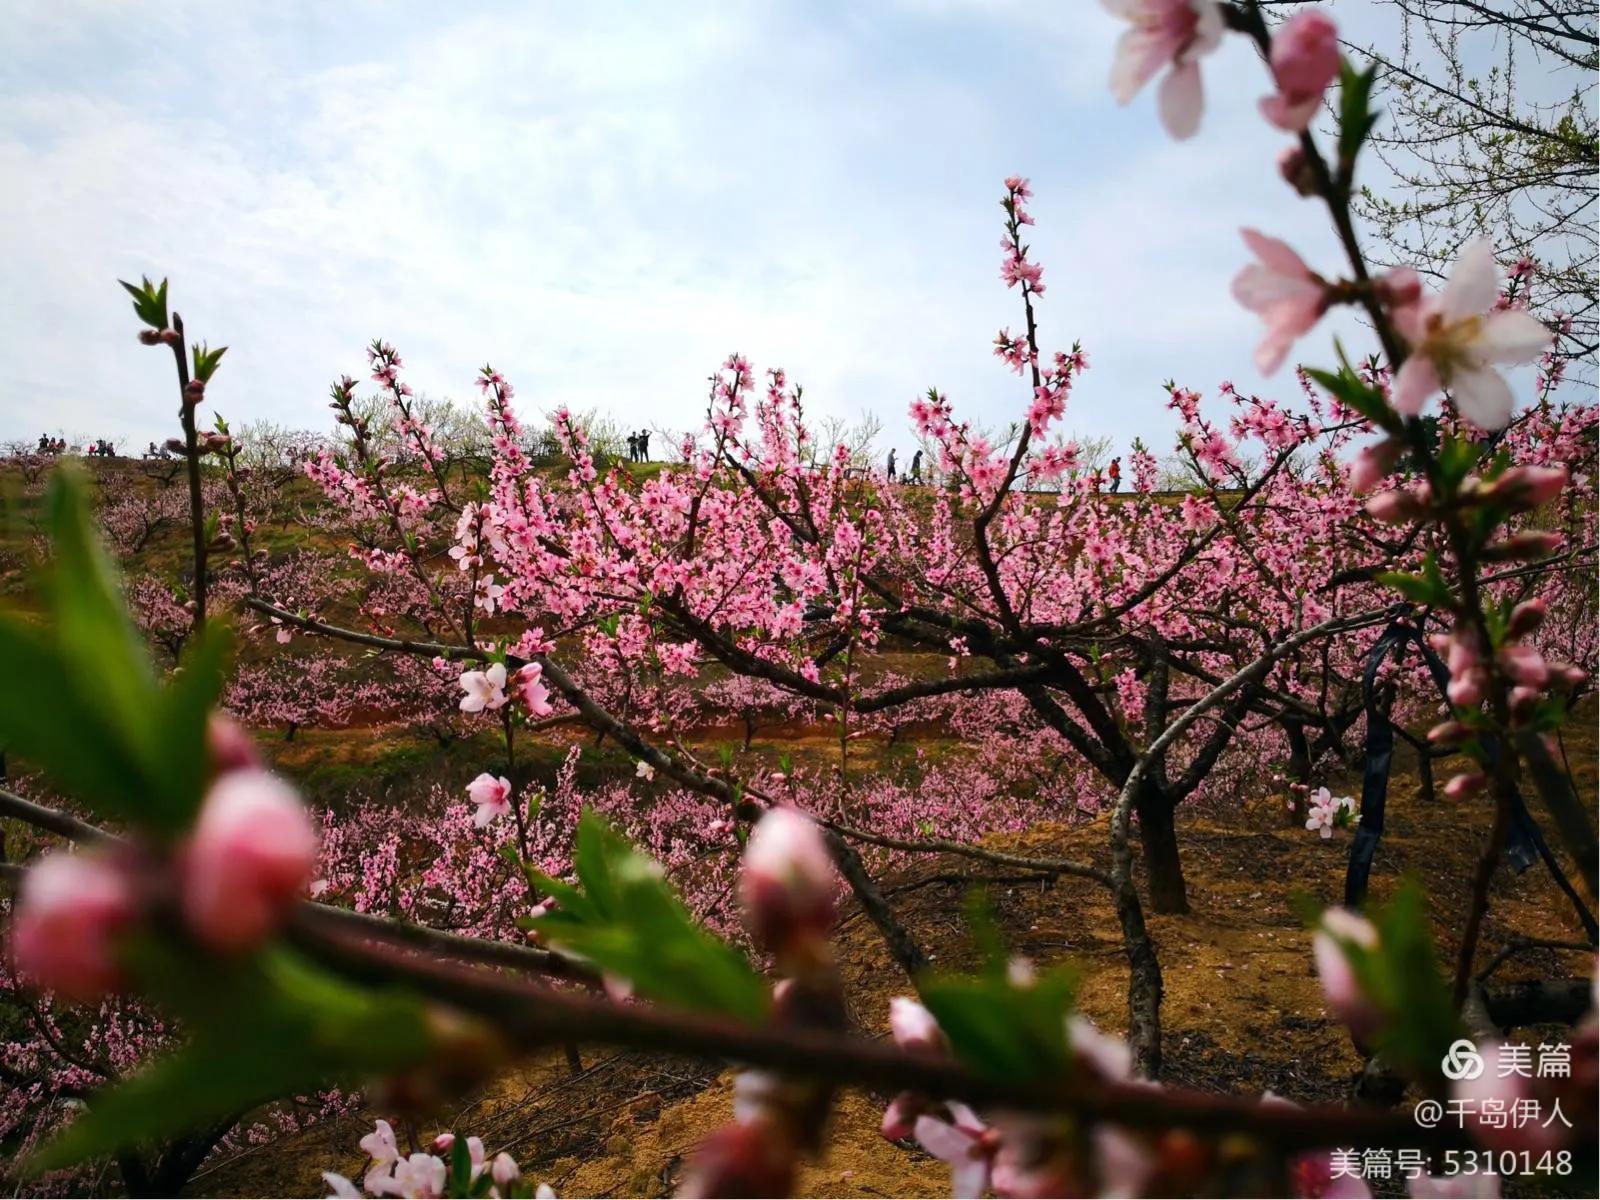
x=250, y=857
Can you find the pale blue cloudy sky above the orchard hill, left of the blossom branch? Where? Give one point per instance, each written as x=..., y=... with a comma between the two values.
x=604, y=201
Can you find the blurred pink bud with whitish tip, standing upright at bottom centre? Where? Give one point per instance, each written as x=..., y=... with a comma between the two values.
x=788, y=882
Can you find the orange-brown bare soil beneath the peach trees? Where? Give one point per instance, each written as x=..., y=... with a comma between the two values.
x=1242, y=1009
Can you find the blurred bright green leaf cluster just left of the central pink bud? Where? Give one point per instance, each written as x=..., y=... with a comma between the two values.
x=628, y=921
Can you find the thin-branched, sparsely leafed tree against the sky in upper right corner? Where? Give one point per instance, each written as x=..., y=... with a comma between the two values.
x=1490, y=130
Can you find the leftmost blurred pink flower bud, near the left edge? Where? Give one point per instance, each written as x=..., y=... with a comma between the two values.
x=70, y=911
